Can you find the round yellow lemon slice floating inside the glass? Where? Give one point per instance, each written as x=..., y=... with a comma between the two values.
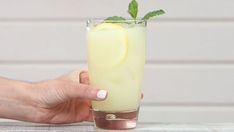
x=107, y=45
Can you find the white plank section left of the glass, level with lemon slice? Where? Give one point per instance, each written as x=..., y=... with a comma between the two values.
x=42, y=41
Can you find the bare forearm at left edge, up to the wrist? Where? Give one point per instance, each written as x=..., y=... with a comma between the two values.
x=15, y=100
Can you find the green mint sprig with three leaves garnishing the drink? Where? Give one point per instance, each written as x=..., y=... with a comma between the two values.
x=133, y=11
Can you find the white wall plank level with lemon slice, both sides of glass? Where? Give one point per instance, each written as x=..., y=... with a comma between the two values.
x=167, y=41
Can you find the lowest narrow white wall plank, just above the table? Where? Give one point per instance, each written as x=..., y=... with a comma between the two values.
x=181, y=114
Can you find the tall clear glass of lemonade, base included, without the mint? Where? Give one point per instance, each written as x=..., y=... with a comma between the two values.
x=116, y=58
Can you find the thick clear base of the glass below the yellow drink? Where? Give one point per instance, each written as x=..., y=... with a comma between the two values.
x=115, y=120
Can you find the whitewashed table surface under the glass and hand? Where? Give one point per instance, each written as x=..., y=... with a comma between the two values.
x=83, y=127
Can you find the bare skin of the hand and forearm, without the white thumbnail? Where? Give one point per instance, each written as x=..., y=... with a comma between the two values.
x=61, y=100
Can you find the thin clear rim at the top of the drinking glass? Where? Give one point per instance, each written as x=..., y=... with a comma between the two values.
x=100, y=20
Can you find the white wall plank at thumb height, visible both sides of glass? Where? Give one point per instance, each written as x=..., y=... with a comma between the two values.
x=163, y=85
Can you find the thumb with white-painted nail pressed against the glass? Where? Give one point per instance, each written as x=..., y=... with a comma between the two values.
x=76, y=90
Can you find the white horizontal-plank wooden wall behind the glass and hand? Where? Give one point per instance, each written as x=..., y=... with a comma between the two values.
x=189, y=74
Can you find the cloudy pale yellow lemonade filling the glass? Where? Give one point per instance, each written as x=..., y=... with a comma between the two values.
x=117, y=69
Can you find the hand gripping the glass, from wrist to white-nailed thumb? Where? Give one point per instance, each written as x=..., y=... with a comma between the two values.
x=65, y=100
